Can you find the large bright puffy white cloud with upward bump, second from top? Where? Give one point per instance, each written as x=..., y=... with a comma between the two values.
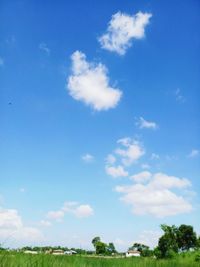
x=89, y=83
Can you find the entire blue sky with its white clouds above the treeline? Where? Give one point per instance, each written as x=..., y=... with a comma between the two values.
x=99, y=120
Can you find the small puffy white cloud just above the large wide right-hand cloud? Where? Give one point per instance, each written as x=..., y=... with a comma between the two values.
x=132, y=150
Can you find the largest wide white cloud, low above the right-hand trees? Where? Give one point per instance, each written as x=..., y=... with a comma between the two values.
x=158, y=196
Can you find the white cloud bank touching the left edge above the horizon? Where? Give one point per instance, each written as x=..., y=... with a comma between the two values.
x=13, y=229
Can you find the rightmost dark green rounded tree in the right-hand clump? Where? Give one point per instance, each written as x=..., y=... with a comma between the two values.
x=186, y=237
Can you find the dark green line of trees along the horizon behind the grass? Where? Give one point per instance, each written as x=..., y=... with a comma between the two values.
x=175, y=240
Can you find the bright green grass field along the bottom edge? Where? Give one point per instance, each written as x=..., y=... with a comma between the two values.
x=23, y=260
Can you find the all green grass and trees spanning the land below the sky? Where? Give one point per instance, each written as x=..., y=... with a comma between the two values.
x=178, y=246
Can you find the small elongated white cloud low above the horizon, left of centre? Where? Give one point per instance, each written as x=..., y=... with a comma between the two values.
x=78, y=210
